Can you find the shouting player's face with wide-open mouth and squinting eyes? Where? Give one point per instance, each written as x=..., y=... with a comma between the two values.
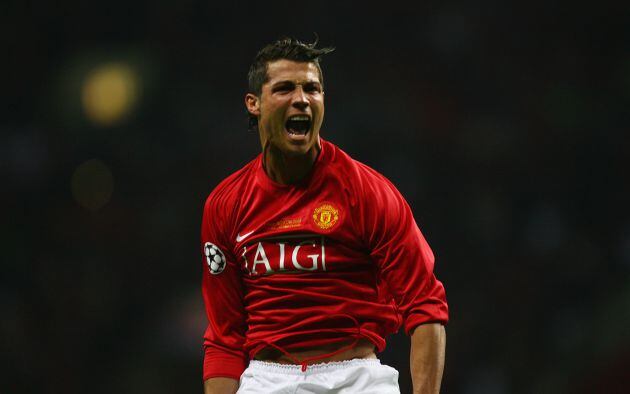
x=290, y=109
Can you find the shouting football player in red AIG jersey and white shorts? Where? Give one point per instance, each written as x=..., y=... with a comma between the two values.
x=311, y=258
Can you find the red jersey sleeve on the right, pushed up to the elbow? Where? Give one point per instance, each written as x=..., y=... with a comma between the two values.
x=403, y=256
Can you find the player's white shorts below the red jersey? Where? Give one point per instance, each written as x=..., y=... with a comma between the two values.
x=365, y=376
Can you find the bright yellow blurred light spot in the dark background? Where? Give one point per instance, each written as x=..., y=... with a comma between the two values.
x=109, y=93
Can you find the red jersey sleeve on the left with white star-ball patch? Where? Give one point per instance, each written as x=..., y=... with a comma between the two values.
x=222, y=290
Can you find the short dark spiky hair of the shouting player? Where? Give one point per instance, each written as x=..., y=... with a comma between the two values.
x=284, y=48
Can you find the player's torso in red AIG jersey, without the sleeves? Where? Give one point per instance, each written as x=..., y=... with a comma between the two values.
x=303, y=252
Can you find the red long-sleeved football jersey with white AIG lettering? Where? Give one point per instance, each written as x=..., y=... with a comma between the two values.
x=336, y=256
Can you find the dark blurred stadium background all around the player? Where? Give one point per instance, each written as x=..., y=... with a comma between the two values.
x=503, y=123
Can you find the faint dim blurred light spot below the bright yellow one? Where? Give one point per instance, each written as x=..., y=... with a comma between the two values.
x=92, y=185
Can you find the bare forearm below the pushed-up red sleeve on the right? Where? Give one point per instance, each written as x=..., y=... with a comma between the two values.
x=428, y=342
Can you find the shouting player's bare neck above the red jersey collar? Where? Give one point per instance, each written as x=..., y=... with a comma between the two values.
x=288, y=170
